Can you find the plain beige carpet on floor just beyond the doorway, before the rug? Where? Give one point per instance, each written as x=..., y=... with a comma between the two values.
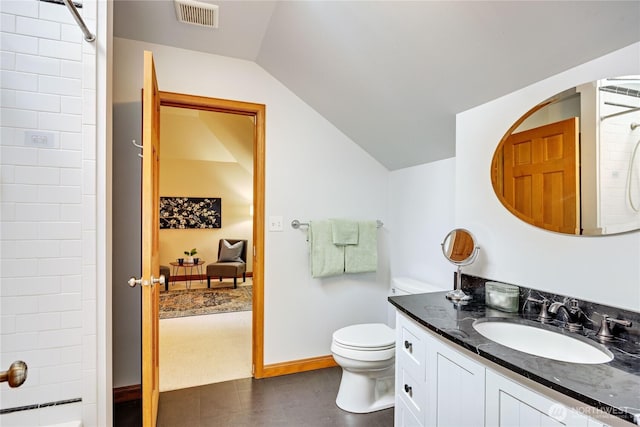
x=198, y=350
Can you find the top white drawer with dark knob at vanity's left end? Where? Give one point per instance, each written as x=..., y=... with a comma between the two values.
x=410, y=346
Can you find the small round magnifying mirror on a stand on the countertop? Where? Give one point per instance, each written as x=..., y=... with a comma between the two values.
x=460, y=248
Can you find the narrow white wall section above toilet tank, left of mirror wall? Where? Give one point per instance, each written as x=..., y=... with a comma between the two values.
x=422, y=201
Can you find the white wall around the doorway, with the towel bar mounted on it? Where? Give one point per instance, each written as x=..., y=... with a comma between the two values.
x=312, y=172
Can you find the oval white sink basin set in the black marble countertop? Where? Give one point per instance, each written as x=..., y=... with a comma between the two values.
x=542, y=342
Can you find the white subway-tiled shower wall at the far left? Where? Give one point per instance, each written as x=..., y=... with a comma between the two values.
x=48, y=212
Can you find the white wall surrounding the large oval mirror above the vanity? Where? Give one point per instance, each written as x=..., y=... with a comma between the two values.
x=599, y=269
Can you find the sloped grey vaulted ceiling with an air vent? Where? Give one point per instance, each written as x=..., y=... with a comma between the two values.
x=391, y=75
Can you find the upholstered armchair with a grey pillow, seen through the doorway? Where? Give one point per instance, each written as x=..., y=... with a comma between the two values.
x=232, y=261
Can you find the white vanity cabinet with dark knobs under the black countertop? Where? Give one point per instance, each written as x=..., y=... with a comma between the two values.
x=439, y=386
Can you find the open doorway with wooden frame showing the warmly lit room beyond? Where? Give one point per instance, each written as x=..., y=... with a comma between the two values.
x=211, y=149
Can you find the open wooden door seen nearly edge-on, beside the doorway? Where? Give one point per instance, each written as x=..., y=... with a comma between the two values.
x=150, y=243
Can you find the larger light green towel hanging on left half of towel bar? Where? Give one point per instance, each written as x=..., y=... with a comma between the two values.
x=326, y=259
